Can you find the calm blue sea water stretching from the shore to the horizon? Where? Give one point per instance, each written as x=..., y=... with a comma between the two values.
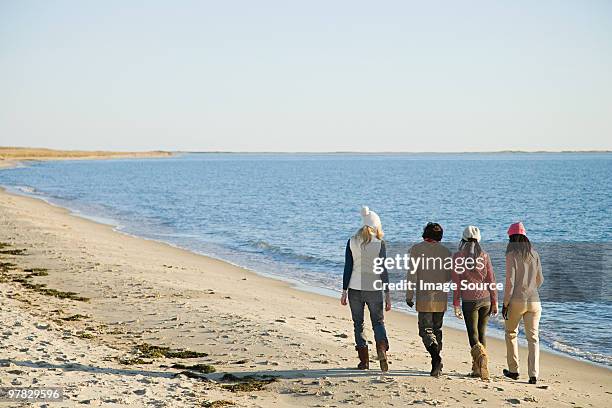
x=289, y=215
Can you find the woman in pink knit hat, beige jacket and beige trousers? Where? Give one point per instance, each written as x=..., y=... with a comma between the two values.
x=521, y=300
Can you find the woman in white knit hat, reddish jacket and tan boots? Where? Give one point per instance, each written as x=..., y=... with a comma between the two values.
x=475, y=297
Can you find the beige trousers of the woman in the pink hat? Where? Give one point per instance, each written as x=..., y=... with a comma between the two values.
x=530, y=313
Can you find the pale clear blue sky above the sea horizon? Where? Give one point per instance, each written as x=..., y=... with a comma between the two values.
x=396, y=76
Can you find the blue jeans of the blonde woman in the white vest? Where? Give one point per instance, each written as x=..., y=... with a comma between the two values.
x=357, y=301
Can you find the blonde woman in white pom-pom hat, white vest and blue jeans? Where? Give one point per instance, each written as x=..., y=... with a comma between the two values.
x=363, y=286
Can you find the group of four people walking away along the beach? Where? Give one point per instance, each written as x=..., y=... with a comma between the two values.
x=474, y=293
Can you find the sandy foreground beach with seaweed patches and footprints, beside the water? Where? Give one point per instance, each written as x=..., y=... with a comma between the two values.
x=84, y=308
